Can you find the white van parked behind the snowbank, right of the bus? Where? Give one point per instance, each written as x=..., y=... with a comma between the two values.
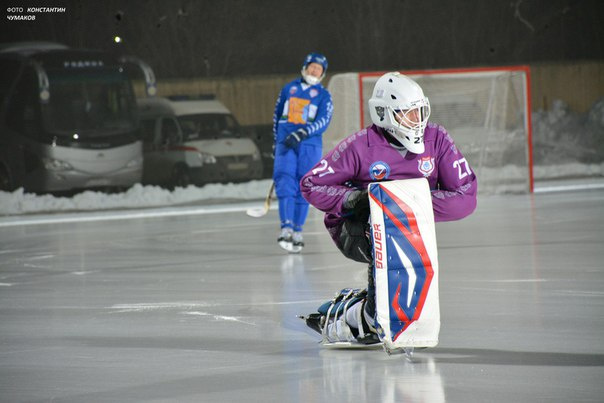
x=194, y=140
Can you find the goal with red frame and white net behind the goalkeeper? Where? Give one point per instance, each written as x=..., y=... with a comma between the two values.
x=486, y=111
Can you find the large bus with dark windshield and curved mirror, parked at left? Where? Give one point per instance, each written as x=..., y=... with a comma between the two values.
x=68, y=119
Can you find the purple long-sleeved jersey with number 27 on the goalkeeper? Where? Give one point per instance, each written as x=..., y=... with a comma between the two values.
x=366, y=156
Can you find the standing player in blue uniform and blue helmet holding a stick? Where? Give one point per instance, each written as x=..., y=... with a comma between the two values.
x=302, y=113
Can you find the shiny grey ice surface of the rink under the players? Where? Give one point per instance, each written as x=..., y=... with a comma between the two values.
x=186, y=305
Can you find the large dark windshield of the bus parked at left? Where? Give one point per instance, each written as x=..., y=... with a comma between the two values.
x=91, y=103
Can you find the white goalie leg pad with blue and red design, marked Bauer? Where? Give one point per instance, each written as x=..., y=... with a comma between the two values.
x=405, y=262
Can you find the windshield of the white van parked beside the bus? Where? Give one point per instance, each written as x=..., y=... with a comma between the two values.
x=208, y=126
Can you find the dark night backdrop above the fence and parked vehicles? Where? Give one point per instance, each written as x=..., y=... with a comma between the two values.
x=226, y=38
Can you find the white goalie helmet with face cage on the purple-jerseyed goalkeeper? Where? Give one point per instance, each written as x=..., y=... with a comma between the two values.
x=399, y=106
